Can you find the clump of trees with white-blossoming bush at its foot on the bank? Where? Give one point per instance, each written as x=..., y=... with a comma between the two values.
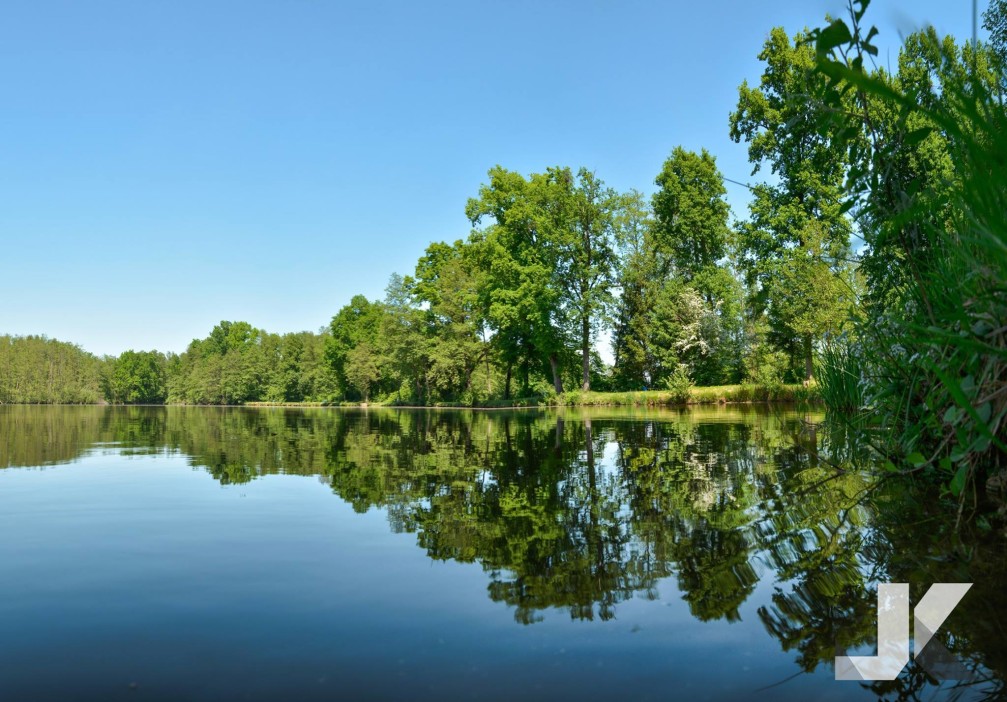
x=679, y=303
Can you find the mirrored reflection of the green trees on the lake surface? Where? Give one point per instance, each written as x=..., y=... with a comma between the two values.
x=582, y=511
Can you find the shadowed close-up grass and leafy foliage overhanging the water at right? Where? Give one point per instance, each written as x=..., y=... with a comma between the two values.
x=934, y=346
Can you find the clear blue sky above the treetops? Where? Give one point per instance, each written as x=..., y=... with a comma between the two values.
x=166, y=166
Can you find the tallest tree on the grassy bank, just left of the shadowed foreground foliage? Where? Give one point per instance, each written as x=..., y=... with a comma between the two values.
x=801, y=215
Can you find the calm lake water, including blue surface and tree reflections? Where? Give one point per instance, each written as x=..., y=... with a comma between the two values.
x=205, y=553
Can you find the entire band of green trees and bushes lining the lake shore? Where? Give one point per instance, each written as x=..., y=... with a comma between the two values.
x=874, y=258
